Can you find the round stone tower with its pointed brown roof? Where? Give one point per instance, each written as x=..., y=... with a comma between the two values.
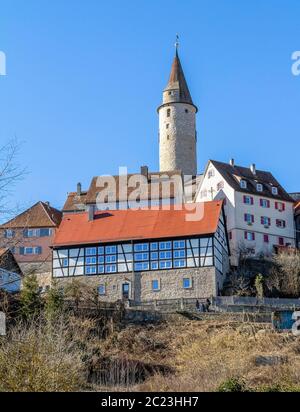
x=177, y=125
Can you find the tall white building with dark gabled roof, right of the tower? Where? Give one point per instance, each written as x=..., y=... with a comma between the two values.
x=259, y=212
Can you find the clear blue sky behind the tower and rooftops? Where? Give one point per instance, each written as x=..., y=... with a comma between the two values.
x=84, y=80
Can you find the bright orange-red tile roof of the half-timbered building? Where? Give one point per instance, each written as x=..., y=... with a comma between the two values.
x=122, y=225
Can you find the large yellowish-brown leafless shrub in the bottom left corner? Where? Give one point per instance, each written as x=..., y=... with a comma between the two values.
x=37, y=357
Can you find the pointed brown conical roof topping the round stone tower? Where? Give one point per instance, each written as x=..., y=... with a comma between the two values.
x=177, y=81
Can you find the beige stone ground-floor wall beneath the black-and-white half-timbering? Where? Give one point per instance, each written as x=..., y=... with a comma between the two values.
x=205, y=282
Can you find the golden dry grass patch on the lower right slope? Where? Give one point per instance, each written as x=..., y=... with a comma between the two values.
x=209, y=353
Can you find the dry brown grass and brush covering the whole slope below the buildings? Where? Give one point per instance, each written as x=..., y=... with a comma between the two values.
x=201, y=355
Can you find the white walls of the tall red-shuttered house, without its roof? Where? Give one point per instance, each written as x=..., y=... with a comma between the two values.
x=252, y=228
